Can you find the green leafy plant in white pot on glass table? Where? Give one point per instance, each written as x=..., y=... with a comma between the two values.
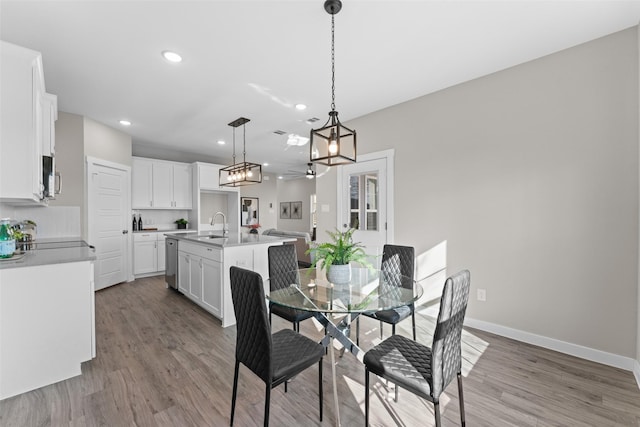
x=337, y=254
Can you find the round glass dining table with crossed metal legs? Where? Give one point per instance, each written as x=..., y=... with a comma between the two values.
x=368, y=290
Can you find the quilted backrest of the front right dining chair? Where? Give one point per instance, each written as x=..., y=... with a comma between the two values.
x=447, y=350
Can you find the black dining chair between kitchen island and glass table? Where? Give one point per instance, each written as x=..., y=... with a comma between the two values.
x=283, y=271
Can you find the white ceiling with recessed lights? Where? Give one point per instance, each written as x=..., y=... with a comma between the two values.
x=258, y=59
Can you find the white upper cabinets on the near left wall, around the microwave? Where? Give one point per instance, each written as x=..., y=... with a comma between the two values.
x=27, y=125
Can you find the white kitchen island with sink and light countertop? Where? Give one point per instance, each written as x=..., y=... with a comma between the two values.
x=204, y=261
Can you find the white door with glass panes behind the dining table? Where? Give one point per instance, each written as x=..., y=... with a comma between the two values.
x=365, y=202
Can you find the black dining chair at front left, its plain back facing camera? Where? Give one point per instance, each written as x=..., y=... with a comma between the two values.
x=274, y=358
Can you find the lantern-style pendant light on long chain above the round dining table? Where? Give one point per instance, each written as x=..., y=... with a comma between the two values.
x=333, y=143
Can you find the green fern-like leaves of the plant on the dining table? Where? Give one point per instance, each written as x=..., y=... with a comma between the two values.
x=341, y=250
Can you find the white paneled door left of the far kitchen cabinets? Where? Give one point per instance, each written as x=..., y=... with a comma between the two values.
x=108, y=223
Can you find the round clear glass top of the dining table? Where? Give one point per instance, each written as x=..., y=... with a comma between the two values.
x=368, y=290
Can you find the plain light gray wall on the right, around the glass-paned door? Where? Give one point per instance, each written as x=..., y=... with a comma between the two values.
x=530, y=176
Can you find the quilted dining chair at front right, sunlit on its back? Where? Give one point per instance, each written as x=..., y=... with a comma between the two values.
x=426, y=371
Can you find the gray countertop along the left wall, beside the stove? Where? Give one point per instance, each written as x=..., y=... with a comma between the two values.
x=51, y=251
